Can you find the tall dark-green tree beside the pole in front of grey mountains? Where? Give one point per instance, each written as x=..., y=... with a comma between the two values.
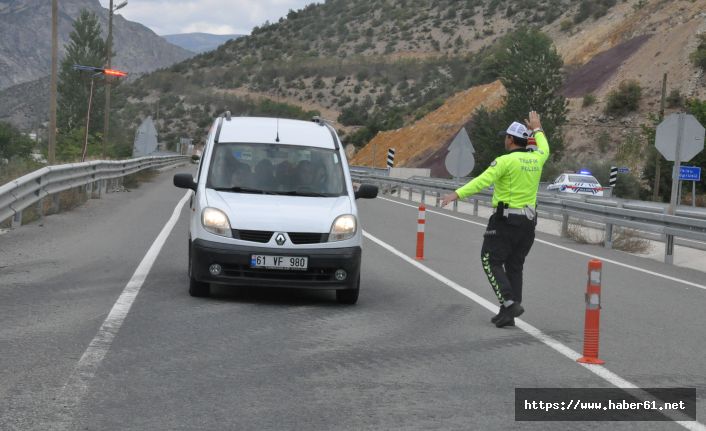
x=86, y=47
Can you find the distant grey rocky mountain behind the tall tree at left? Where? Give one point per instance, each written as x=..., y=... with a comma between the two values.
x=25, y=40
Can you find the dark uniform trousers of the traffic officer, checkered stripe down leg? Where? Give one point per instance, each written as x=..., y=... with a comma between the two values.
x=506, y=243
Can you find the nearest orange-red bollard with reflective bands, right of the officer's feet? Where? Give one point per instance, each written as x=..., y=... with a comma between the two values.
x=593, y=314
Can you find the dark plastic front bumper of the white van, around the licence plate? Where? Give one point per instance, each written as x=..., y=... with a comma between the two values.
x=236, y=270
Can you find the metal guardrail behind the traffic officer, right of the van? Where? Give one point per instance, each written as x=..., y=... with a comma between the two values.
x=688, y=222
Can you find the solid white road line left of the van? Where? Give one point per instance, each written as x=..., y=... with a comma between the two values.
x=77, y=385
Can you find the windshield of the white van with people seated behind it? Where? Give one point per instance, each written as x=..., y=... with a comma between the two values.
x=276, y=169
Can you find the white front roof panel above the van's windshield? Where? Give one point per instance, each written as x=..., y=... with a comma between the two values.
x=264, y=130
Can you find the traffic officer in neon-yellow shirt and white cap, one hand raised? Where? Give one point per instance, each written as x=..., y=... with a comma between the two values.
x=510, y=232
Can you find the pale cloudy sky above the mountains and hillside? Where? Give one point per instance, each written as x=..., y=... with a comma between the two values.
x=205, y=16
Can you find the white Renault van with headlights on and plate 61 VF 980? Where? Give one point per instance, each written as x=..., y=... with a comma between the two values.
x=274, y=206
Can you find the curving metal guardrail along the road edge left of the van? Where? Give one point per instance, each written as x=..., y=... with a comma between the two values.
x=18, y=195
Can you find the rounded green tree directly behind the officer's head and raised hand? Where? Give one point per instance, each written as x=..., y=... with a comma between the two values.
x=530, y=68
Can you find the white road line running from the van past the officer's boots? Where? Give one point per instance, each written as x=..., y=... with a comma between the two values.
x=568, y=352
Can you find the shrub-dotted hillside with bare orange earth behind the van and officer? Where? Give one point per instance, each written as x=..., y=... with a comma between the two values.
x=397, y=60
